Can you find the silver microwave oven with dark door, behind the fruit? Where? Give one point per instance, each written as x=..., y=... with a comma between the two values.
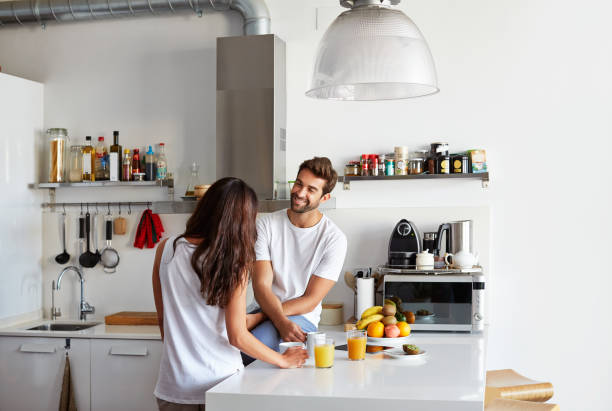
x=440, y=302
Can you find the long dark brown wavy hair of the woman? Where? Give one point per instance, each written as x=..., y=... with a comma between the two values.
x=224, y=219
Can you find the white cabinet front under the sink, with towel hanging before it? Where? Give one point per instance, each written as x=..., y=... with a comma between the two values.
x=32, y=371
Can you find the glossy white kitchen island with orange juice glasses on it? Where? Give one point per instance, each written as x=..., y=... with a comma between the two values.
x=452, y=377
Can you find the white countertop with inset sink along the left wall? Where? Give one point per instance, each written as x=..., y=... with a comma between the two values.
x=101, y=330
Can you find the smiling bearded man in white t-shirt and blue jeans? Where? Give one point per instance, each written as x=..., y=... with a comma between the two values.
x=299, y=256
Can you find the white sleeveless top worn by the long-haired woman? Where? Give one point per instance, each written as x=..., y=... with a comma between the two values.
x=196, y=353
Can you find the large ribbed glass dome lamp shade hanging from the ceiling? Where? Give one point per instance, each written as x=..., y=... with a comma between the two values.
x=373, y=52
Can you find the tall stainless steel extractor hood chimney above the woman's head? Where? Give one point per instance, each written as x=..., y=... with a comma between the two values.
x=251, y=113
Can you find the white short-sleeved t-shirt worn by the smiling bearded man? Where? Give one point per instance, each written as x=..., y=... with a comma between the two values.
x=297, y=253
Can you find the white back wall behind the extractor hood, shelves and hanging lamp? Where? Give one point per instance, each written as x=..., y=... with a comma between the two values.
x=527, y=80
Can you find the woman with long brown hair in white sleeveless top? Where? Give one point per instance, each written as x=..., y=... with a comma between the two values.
x=199, y=285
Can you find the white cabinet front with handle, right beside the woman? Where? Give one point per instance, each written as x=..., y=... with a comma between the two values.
x=123, y=374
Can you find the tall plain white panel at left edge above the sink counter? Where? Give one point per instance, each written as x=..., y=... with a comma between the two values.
x=21, y=114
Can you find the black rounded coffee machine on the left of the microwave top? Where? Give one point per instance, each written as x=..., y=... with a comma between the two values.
x=405, y=243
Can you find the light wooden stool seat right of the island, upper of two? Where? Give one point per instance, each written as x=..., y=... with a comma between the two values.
x=509, y=385
